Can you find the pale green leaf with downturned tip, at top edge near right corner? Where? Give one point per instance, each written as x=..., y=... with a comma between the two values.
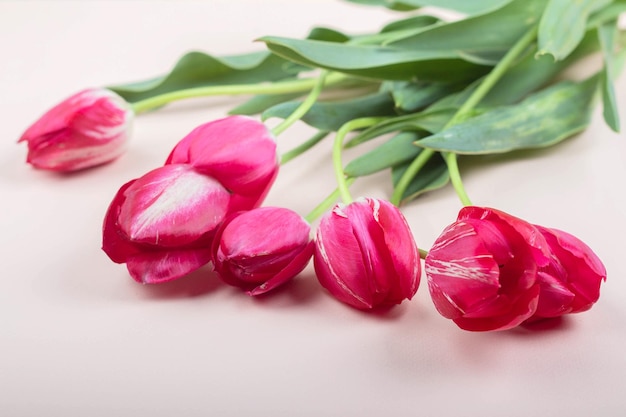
x=563, y=25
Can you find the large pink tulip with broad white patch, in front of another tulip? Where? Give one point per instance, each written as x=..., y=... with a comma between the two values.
x=162, y=224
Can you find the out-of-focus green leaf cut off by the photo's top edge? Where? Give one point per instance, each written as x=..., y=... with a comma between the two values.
x=462, y=6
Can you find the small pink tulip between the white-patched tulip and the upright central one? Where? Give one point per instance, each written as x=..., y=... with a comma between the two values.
x=261, y=249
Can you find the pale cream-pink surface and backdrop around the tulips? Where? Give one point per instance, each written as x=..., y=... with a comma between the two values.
x=78, y=337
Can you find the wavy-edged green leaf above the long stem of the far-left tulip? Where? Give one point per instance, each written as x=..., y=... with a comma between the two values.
x=197, y=69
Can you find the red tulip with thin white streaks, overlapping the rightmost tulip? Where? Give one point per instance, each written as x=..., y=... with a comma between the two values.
x=482, y=270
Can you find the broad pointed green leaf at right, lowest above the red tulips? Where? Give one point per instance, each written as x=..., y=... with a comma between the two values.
x=542, y=119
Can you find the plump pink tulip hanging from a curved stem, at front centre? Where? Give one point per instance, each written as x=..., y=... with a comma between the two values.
x=365, y=254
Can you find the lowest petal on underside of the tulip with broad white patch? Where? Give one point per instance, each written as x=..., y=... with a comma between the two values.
x=162, y=266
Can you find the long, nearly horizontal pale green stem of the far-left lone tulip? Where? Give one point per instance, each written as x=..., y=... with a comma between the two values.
x=281, y=87
